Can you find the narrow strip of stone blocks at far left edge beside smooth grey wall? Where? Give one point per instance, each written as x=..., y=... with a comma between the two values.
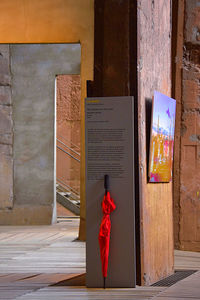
x=6, y=131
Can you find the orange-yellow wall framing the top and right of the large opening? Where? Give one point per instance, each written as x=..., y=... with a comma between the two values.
x=53, y=21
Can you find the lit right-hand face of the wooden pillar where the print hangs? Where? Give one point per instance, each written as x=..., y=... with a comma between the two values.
x=154, y=73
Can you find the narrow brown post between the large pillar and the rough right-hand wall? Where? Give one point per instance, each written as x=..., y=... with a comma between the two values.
x=177, y=54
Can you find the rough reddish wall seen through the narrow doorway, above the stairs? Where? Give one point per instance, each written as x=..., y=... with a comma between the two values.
x=68, y=127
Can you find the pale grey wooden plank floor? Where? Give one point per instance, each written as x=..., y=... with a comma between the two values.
x=33, y=259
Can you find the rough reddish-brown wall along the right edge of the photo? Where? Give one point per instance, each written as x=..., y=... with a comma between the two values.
x=189, y=235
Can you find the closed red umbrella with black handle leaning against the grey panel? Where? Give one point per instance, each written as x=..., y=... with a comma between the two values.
x=108, y=206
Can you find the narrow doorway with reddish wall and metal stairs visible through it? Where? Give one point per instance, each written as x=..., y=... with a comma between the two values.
x=68, y=140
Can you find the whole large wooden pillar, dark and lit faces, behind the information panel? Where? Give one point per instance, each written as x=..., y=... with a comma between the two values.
x=133, y=57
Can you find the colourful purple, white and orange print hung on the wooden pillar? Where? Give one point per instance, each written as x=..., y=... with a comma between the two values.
x=162, y=138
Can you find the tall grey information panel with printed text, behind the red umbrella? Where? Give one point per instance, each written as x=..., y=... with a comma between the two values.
x=109, y=151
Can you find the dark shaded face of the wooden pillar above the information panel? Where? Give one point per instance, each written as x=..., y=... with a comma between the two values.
x=111, y=47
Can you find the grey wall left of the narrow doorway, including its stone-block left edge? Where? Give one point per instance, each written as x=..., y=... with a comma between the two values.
x=34, y=68
